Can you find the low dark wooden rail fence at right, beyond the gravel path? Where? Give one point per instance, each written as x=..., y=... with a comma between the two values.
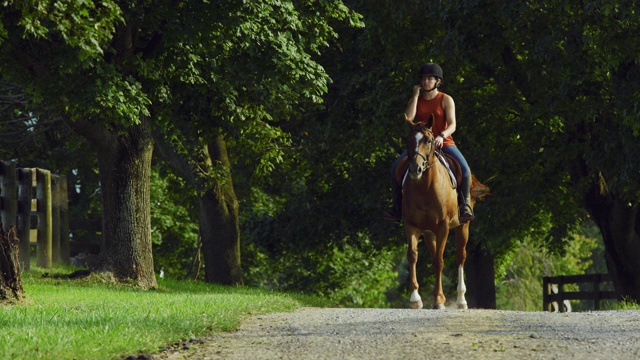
x=555, y=297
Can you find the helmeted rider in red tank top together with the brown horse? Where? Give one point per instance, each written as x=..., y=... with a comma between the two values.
x=427, y=199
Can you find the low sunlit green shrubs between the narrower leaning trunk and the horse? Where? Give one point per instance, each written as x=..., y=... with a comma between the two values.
x=352, y=275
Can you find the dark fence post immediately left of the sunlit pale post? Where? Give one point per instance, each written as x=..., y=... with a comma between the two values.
x=25, y=194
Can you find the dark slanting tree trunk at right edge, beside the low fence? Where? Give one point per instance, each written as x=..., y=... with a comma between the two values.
x=619, y=223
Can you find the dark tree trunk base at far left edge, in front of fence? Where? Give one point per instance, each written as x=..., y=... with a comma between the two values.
x=11, y=289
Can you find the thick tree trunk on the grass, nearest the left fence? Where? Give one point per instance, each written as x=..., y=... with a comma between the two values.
x=125, y=172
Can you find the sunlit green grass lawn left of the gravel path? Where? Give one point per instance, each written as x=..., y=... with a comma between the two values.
x=89, y=319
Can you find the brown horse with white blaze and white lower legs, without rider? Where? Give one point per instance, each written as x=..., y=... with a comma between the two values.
x=430, y=209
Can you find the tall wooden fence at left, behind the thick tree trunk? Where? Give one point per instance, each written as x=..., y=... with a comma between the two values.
x=50, y=207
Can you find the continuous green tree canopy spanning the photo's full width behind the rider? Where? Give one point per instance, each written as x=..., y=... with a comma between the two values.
x=546, y=94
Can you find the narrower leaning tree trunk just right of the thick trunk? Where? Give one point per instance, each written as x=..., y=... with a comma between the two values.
x=219, y=225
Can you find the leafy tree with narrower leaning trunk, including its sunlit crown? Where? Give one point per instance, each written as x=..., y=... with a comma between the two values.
x=255, y=60
